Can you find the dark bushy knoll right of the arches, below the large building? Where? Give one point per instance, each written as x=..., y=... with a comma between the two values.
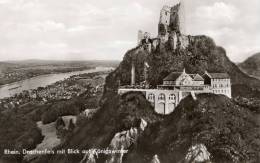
x=227, y=130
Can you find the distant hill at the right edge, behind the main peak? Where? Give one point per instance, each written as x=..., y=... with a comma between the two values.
x=251, y=65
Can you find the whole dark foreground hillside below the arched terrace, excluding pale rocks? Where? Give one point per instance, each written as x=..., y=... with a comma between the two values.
x=229, y=131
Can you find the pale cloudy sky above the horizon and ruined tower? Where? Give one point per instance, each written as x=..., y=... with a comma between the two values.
x=106, y=29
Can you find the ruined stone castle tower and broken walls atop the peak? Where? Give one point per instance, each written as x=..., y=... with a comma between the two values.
x=170, y=27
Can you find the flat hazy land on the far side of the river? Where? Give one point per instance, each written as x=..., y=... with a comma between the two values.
x=14, y=71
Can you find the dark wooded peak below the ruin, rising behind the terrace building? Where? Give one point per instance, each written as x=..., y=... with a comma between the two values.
x=201, y=54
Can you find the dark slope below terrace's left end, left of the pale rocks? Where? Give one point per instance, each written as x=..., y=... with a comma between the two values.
x=117, y=114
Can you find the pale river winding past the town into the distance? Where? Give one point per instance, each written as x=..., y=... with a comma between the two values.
x=9, y=90
